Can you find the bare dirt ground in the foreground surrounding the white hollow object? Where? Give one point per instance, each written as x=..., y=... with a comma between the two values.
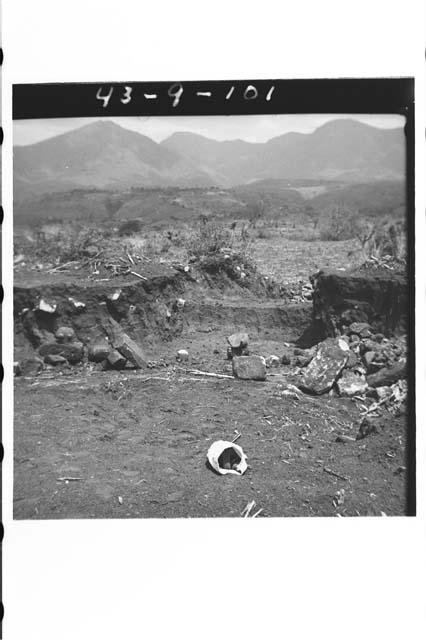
x=136, y=442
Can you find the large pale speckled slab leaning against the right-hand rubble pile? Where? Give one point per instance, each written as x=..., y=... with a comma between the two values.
x=321, y=373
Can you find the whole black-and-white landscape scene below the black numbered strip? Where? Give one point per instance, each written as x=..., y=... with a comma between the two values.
x=211, y=316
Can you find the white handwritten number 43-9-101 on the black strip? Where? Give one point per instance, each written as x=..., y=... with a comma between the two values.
x=175, y=93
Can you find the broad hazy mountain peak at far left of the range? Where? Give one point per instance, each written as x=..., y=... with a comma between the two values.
x=100, y=155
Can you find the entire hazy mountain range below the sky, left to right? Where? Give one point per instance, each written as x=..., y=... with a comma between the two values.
x=104, y=155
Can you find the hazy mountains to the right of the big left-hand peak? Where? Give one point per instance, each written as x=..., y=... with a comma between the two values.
x=339, y=150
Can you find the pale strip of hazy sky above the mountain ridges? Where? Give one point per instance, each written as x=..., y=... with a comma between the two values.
x=251, y=128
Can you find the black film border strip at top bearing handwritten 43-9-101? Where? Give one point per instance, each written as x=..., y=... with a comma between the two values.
x=227, y=97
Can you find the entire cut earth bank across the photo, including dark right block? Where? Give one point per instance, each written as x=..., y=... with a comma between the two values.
x=168, y=305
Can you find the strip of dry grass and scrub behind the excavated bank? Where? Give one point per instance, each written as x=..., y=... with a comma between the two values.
x=285, y=253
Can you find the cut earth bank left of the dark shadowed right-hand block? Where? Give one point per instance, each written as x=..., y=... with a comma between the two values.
x=154, y=312
